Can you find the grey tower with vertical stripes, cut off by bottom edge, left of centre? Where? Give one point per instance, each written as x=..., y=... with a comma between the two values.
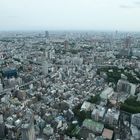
x=28, y=132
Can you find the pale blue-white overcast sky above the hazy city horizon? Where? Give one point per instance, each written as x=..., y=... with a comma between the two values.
x=70, y=15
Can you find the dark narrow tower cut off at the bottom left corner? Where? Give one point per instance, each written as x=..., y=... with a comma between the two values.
x=2, y=127
